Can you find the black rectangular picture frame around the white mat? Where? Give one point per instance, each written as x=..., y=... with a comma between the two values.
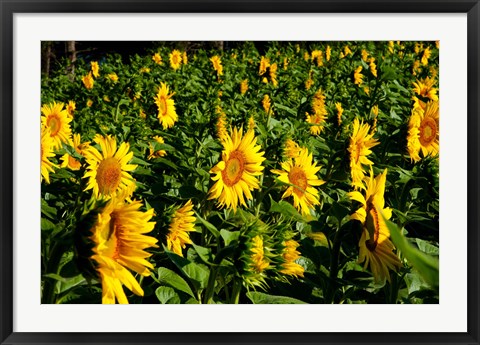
x=7, y=10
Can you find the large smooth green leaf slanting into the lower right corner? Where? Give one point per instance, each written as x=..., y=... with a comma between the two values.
x=425, y=264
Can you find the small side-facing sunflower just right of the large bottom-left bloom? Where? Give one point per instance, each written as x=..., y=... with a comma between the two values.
x=182, y=223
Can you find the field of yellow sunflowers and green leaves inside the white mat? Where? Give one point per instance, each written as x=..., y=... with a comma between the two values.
x=242, y=172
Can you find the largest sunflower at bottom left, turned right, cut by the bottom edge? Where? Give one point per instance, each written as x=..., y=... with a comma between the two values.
x=119, y=246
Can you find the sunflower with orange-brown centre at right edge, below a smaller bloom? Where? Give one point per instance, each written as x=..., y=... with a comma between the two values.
x=423, y=131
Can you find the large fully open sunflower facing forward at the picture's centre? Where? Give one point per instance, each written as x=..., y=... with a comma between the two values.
x=235, y=175
